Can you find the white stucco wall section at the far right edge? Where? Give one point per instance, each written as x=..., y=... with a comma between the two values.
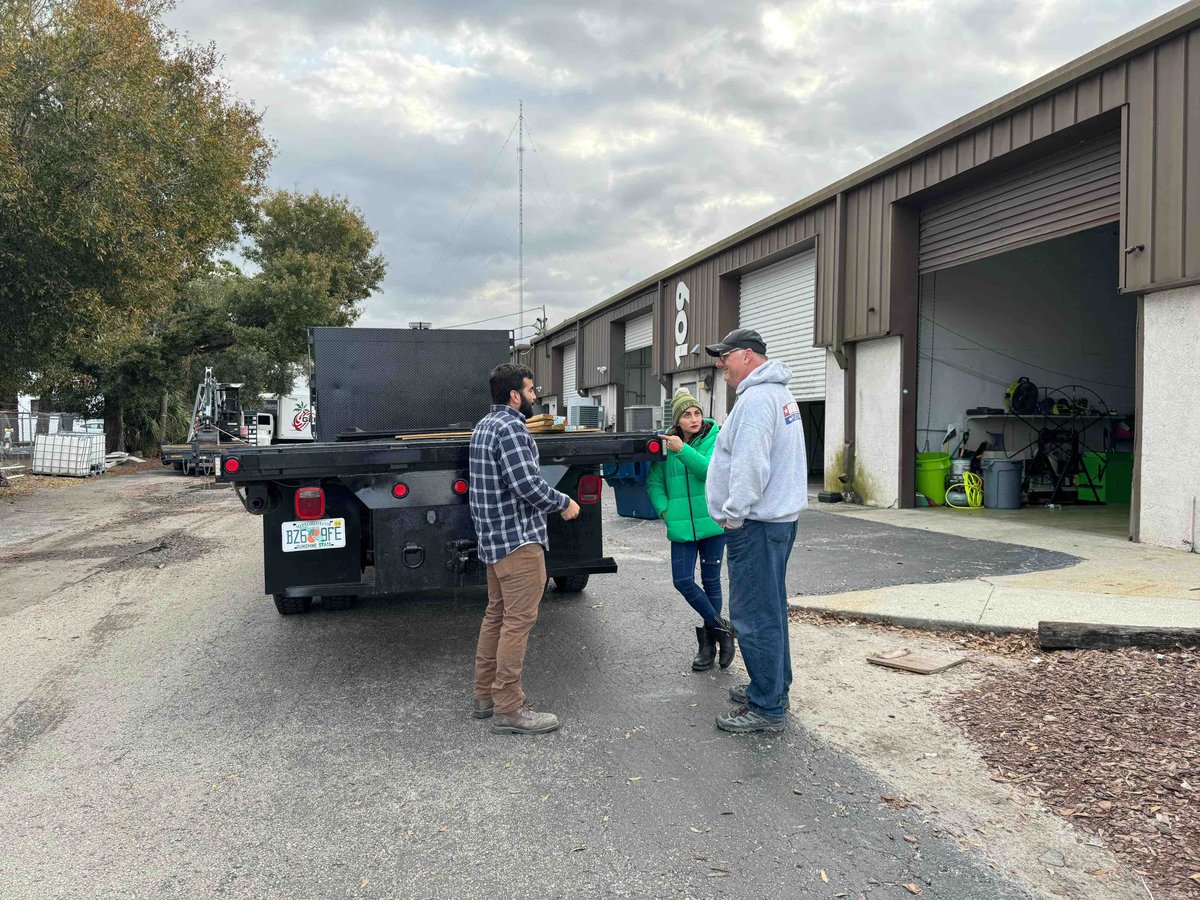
x=1169, y=423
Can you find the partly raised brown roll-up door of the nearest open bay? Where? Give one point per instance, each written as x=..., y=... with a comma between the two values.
x=1067, y=193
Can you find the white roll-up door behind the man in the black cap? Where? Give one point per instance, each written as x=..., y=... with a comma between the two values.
x=779, y=303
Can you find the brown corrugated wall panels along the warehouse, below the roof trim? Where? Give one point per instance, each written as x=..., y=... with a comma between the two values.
x=1156, y=92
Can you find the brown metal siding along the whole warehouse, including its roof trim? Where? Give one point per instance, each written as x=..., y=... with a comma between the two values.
x=1160, y=91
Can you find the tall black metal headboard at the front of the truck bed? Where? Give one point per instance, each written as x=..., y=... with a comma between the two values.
x=391, y=380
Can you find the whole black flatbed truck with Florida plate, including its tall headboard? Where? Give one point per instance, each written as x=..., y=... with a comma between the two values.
x=387, y=512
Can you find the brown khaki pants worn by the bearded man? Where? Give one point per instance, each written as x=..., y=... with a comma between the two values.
x=515, y=586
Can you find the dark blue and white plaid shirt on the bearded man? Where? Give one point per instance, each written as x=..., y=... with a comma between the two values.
x=509, y=499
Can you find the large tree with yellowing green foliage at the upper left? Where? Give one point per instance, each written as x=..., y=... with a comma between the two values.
x=125, y=165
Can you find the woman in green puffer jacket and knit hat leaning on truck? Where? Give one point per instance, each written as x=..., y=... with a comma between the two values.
x=676, y=487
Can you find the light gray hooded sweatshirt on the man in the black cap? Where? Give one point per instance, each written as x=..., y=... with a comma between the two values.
x=759, y=469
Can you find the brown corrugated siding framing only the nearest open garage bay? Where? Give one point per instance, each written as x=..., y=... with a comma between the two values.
x=1162, y=88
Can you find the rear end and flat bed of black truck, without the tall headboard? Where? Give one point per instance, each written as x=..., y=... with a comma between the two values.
x=397, y=517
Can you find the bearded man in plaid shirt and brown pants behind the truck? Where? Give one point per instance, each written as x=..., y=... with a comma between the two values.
x=509, y=502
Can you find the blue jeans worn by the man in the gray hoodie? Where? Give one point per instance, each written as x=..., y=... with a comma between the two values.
x=759, y=554
